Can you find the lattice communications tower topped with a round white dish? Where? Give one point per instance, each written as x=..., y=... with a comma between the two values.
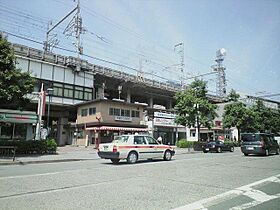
x=221, y=75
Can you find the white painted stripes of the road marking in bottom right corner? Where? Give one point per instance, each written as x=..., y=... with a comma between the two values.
x=258, y=196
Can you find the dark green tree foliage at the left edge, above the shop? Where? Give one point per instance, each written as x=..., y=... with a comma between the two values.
x=14, y=84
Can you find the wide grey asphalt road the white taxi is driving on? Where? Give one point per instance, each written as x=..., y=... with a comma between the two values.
x=189, y=181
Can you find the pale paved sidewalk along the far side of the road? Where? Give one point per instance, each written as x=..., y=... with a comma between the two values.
x=65, y=154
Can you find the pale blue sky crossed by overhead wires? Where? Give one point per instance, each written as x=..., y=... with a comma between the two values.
x=139, y=36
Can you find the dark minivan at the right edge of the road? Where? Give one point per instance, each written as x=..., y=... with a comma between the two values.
x=259, y=143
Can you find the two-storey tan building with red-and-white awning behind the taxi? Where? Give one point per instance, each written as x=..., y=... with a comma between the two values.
x=99, y=121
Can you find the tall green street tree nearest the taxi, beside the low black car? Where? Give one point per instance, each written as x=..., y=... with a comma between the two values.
x=193, y=107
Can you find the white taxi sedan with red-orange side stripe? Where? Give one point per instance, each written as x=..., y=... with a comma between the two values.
x=135, y=147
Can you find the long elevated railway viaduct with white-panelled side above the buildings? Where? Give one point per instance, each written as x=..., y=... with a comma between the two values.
x=71, y=87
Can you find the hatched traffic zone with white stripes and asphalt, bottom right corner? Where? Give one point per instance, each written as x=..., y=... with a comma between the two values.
x=245, y=197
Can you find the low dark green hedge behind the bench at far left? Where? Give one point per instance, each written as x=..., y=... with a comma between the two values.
x=48, y=146
